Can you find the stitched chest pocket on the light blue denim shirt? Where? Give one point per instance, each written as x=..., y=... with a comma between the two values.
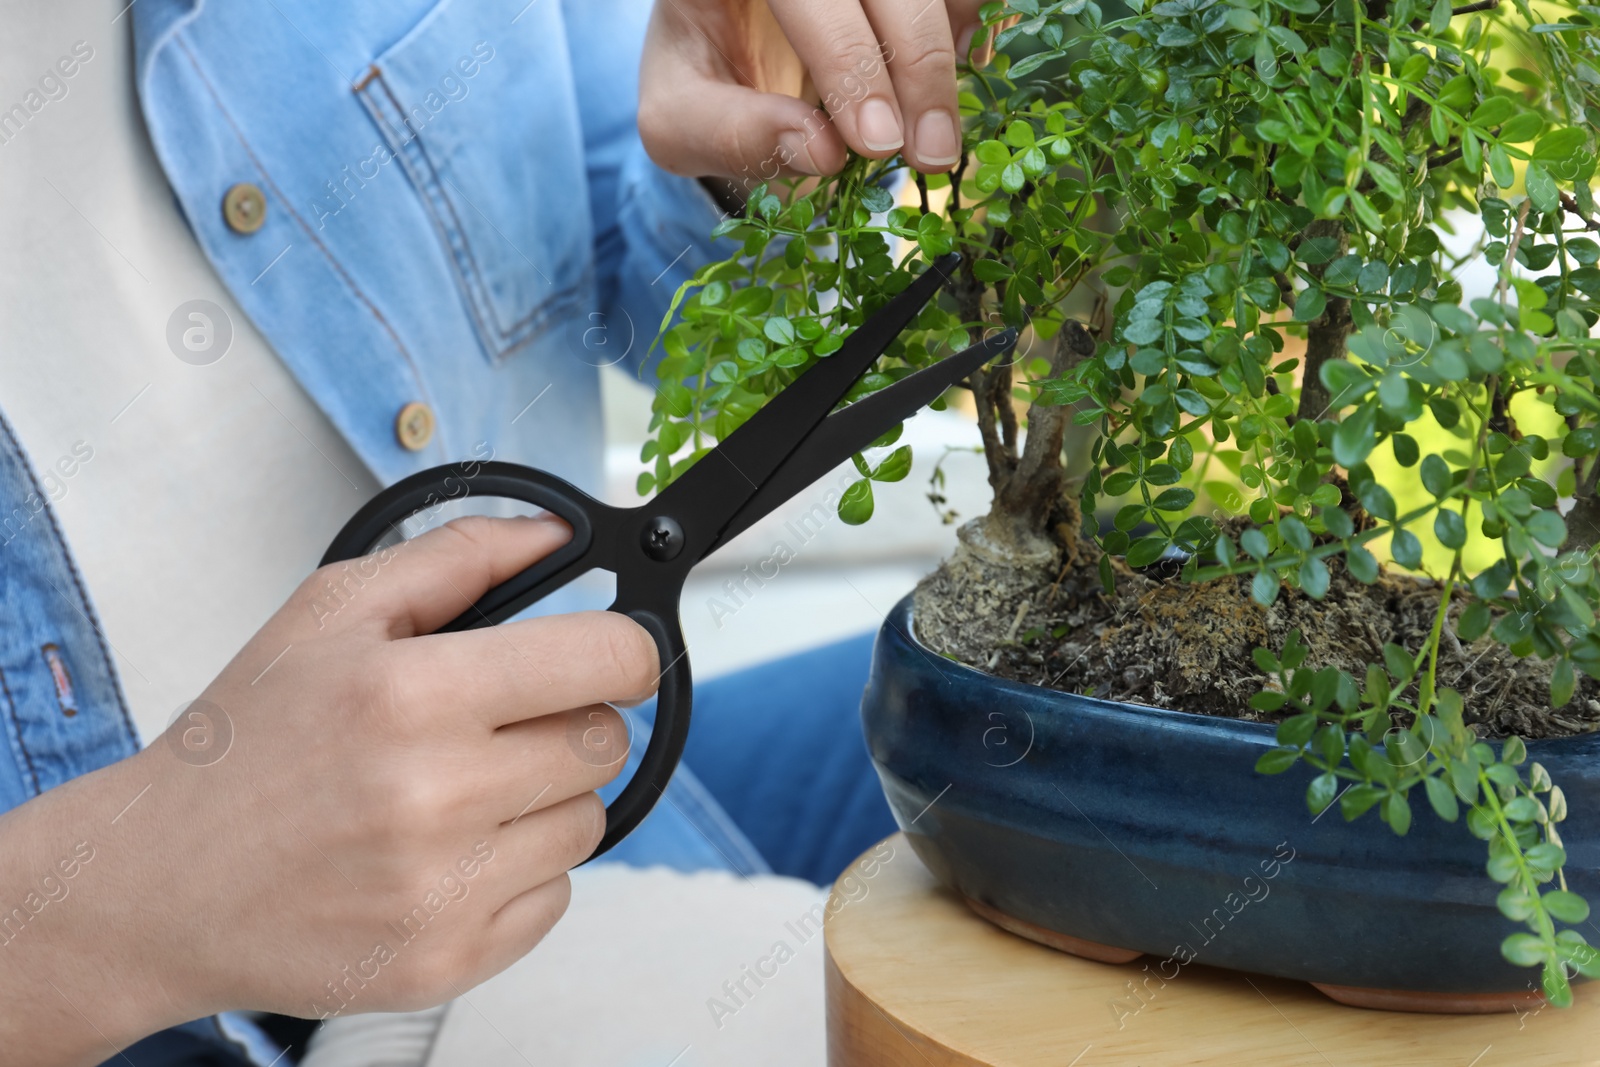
x=476, y=105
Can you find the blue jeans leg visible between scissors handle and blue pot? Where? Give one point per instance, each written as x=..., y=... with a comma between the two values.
x=775, y=778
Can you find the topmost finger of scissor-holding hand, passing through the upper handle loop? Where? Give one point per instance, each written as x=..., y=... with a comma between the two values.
x=420, y=585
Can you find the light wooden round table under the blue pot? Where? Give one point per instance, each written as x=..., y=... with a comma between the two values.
x=918, y=980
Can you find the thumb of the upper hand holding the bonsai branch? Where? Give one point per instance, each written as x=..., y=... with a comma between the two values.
x=702, y=127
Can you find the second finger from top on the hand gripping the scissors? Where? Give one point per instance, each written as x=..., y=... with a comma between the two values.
x=526, y=669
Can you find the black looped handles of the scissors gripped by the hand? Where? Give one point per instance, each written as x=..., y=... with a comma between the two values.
x=596, y=529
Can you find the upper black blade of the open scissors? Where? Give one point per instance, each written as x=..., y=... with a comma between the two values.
x=719, y=486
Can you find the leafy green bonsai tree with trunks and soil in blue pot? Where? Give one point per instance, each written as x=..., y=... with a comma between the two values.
x=1311, y=290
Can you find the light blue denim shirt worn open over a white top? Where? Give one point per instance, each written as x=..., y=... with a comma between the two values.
x=458, y=215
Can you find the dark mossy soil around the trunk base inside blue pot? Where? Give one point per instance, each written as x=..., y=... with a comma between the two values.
x=1188, y=647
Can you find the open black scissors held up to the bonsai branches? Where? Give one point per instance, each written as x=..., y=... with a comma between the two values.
x=782, y=450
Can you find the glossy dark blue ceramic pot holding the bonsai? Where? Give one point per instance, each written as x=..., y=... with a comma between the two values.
x=1150, y=831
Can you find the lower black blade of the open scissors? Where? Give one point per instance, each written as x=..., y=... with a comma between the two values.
x=850, y=430
